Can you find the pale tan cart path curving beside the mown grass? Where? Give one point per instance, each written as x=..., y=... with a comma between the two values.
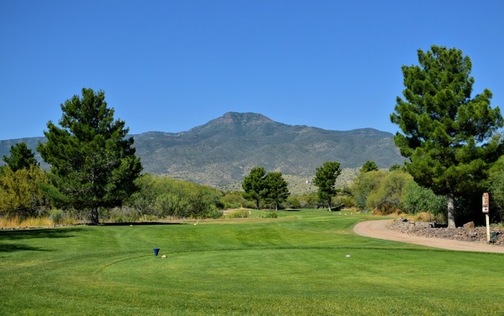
x=379, y=229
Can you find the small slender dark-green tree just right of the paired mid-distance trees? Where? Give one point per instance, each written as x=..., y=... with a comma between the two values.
x=325, y=180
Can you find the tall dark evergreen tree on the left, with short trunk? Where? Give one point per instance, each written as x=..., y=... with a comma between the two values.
x=93, y=162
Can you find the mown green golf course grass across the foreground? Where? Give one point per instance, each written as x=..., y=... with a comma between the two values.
x=295, y=264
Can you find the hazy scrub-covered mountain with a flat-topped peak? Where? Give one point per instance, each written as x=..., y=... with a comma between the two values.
x=222, y=151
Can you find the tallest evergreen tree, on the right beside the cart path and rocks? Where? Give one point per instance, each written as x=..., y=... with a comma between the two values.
x=449, y=137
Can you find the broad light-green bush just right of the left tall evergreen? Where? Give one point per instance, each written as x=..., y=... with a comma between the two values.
x=163, y=197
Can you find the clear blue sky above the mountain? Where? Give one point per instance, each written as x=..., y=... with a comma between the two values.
x=173, y=65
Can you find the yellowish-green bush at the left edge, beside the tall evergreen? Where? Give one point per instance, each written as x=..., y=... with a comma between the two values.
x=21, y=192
